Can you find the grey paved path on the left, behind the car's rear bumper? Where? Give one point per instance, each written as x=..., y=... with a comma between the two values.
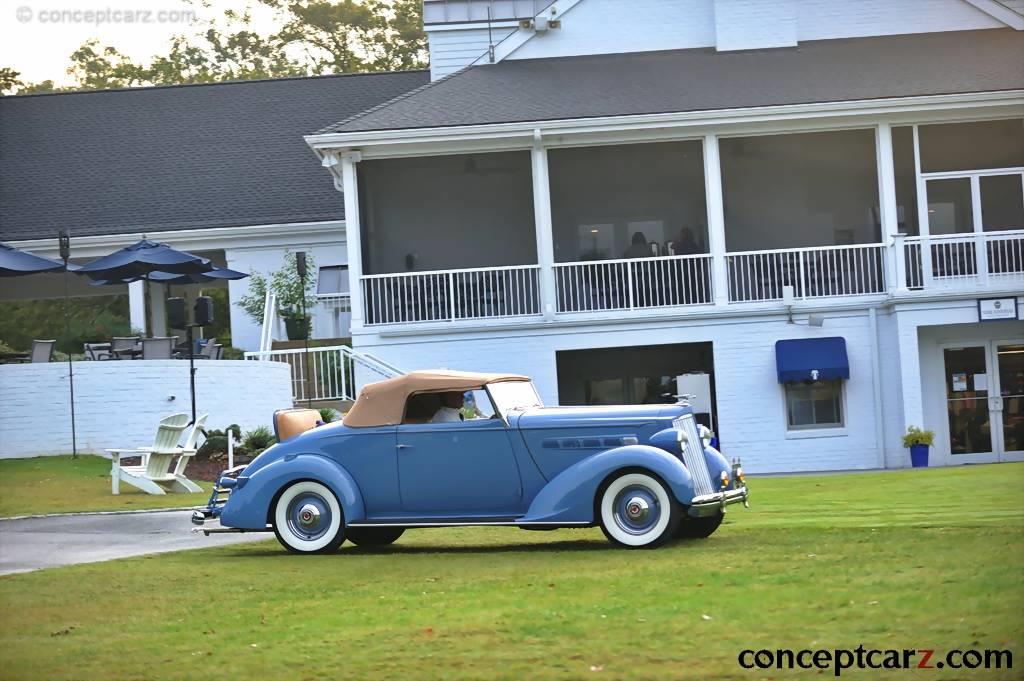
x=30, y=544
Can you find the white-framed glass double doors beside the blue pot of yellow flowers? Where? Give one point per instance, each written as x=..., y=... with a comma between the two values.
x=986, y=402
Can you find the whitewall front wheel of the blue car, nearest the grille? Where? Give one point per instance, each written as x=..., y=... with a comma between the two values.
x=638, y=512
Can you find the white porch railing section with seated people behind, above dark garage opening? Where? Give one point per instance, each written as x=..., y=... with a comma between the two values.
x=633, y=284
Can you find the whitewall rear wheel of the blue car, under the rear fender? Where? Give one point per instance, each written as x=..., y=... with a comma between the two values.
x=308, y=519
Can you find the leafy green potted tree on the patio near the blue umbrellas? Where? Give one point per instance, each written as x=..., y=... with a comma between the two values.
x=293, y=299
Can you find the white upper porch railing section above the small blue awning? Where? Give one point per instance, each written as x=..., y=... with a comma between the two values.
x=814, y=273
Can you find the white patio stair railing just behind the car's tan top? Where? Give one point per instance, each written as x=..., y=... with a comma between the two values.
x=331, y=372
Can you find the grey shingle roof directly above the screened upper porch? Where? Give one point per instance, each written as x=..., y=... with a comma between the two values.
x=521, y=91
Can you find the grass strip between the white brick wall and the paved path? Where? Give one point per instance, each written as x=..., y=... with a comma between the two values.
x=60, y=485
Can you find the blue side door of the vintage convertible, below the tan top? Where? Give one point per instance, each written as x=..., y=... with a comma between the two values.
x=458, y=471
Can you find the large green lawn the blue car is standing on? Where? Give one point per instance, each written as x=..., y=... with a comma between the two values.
x=910, y=560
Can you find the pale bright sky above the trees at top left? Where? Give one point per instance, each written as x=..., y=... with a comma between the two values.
x=37, y=37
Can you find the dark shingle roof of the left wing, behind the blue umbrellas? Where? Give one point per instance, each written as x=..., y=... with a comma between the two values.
x=176, y=158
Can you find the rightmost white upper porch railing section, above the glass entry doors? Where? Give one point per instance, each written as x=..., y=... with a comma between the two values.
x=951, y=261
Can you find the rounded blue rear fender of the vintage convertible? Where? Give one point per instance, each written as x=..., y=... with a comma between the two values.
x=249, y=506
